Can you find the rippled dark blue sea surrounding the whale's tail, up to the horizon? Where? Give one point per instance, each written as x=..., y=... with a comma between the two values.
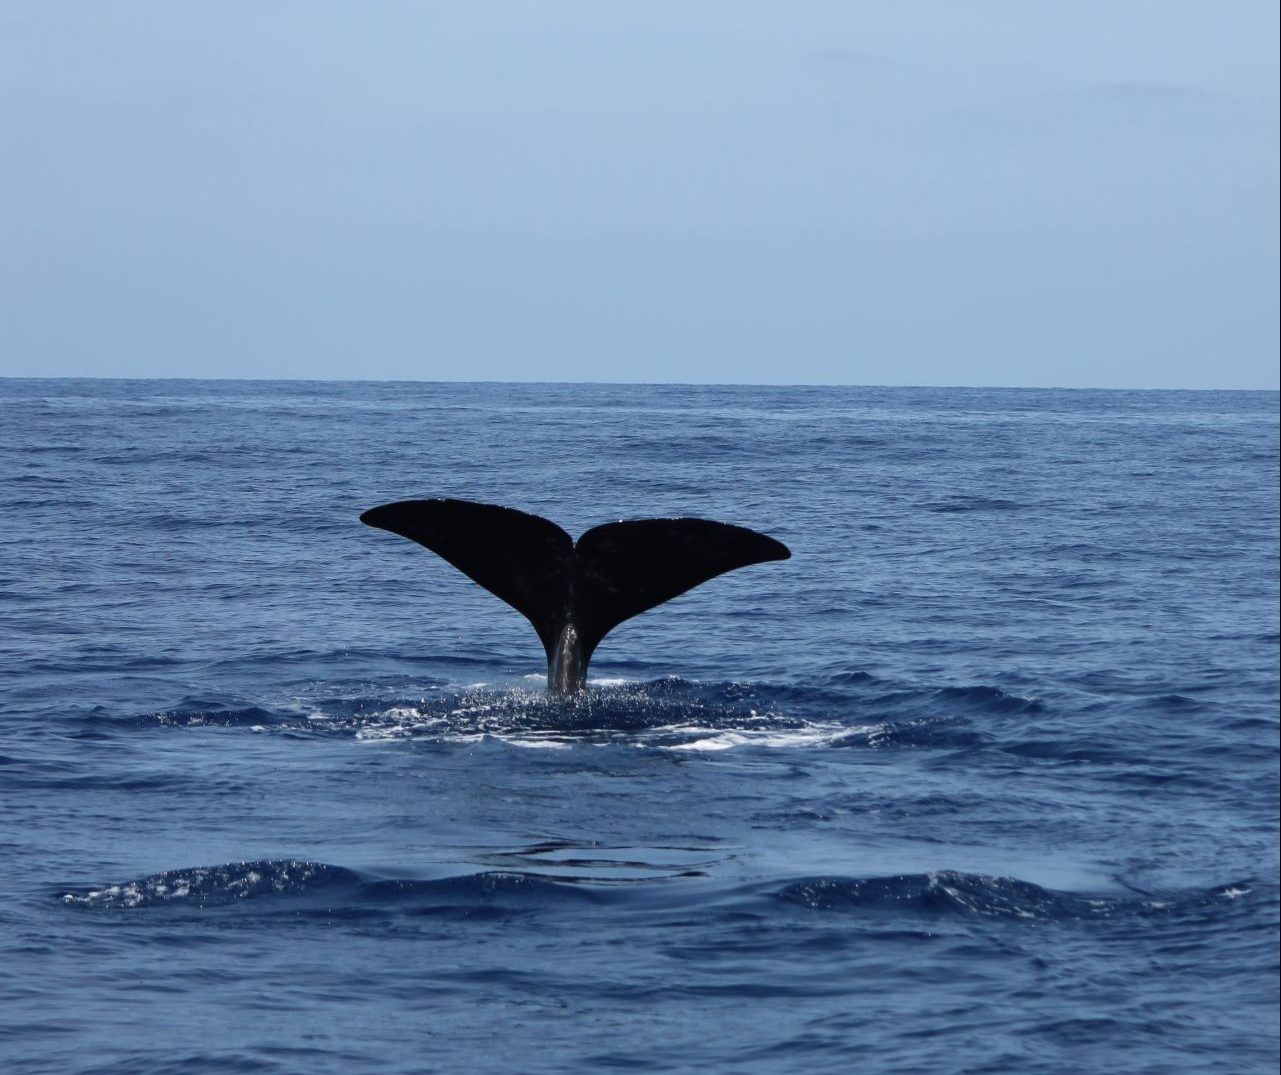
x=983, y=780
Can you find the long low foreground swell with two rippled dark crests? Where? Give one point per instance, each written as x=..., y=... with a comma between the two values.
x=302, y=886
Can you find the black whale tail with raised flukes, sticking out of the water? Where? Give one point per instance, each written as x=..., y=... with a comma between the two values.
x=575, y=593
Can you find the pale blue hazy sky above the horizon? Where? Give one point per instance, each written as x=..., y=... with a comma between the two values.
x=928, y=193
